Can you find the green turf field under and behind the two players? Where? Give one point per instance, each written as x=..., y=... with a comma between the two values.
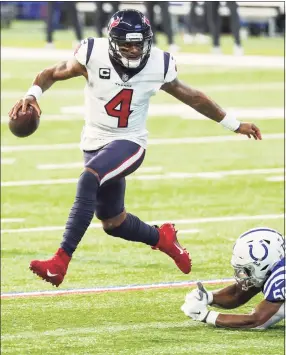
x=145, y=322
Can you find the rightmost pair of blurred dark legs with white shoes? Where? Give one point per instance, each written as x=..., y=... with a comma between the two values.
x=214, y=22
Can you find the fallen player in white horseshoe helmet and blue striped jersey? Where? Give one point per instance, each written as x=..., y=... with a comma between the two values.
x=258, y=260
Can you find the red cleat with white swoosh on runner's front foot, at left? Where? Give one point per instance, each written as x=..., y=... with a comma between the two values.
x=52, y=270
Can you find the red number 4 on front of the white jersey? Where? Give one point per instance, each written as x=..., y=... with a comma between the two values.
x=123, y=100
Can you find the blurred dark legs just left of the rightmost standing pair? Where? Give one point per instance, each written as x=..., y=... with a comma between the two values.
x=196, y=23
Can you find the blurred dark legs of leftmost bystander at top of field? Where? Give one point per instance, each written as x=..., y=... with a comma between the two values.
x=70, y=9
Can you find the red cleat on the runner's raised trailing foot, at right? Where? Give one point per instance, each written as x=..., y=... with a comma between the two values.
x=168, y=243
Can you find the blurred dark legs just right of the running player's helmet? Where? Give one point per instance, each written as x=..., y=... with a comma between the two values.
x=166, y=22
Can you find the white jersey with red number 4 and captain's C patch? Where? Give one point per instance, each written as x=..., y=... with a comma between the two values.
x=116, y=106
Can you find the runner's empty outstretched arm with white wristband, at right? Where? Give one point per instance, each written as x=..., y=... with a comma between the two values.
x=206, y=106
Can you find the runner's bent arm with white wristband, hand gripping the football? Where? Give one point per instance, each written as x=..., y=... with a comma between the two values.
x=44, y=80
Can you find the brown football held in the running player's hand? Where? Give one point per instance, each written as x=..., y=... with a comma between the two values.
x=26, y=123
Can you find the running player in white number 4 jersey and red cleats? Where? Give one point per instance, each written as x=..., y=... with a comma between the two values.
x=122, y=72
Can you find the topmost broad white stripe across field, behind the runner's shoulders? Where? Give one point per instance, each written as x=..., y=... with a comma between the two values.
x=271, y=62
